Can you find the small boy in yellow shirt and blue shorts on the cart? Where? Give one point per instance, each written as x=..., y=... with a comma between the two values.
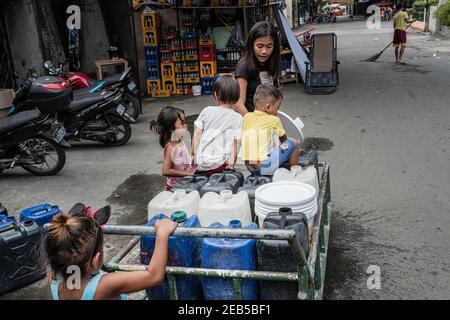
x=265, y=144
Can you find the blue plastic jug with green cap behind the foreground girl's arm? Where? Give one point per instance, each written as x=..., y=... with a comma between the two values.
x=183, y=252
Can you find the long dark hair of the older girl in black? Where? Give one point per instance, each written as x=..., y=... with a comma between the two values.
x=260, y=30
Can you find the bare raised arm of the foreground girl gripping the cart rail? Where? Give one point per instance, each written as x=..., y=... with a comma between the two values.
x=114, y=284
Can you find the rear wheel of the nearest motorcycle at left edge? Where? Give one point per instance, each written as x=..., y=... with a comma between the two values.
x=48, y=151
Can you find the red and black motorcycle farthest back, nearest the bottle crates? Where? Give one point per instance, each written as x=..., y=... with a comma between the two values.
x=82, y=84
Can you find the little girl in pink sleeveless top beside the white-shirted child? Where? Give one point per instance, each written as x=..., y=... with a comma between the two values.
x=171, y=127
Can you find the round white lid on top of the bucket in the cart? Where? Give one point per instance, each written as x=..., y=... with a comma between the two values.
x=286, y=193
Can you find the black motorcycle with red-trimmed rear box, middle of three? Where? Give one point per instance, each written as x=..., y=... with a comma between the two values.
x=96, y=117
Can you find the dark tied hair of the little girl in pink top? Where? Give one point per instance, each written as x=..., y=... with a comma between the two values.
x=164, y=126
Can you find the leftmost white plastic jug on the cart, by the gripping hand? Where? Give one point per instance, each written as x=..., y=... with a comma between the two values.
x=169, y=202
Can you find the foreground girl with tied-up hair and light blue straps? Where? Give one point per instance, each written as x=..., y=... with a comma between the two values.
x=74, y=248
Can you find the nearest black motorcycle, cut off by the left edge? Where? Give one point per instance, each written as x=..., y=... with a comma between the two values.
x=33, y=142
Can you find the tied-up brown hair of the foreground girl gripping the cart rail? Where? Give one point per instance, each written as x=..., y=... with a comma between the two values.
x=72, y=241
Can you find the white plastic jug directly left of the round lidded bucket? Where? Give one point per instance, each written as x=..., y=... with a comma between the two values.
x=224, y=208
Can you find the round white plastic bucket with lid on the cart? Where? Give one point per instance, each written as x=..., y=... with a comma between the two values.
x=298, y=196
